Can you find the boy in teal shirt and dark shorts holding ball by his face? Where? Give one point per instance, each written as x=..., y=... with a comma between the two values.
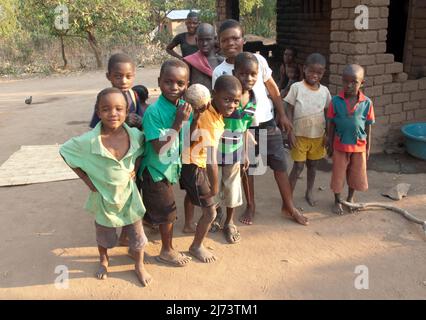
x=164, y=123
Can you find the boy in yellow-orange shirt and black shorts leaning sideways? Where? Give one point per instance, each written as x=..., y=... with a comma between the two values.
x=200, y=174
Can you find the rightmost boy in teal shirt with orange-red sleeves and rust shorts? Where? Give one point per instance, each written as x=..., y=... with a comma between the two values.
x=350, y=116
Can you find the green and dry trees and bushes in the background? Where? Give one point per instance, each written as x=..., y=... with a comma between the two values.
x=29, y=41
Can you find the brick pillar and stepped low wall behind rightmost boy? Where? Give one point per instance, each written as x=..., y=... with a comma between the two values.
x=396, y=99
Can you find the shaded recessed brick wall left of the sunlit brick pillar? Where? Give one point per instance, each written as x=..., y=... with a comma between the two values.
x=304, y=25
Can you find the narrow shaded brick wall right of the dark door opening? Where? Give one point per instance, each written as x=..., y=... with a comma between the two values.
x=415, y=52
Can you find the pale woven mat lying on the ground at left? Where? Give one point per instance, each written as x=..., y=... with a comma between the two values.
x=35, y=164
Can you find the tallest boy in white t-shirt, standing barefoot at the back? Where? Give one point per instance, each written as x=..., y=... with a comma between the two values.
x=231, y=42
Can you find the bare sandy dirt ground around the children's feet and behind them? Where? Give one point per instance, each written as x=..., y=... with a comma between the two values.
x=43, y=226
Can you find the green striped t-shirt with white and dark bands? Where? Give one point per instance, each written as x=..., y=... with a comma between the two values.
x=231, y=143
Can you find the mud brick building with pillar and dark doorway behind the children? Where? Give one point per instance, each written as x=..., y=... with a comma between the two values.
x=392, y=49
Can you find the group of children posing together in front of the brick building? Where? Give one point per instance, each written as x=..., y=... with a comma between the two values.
x=136, y=153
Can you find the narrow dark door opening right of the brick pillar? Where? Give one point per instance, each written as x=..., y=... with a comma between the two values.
x=397, y=28
